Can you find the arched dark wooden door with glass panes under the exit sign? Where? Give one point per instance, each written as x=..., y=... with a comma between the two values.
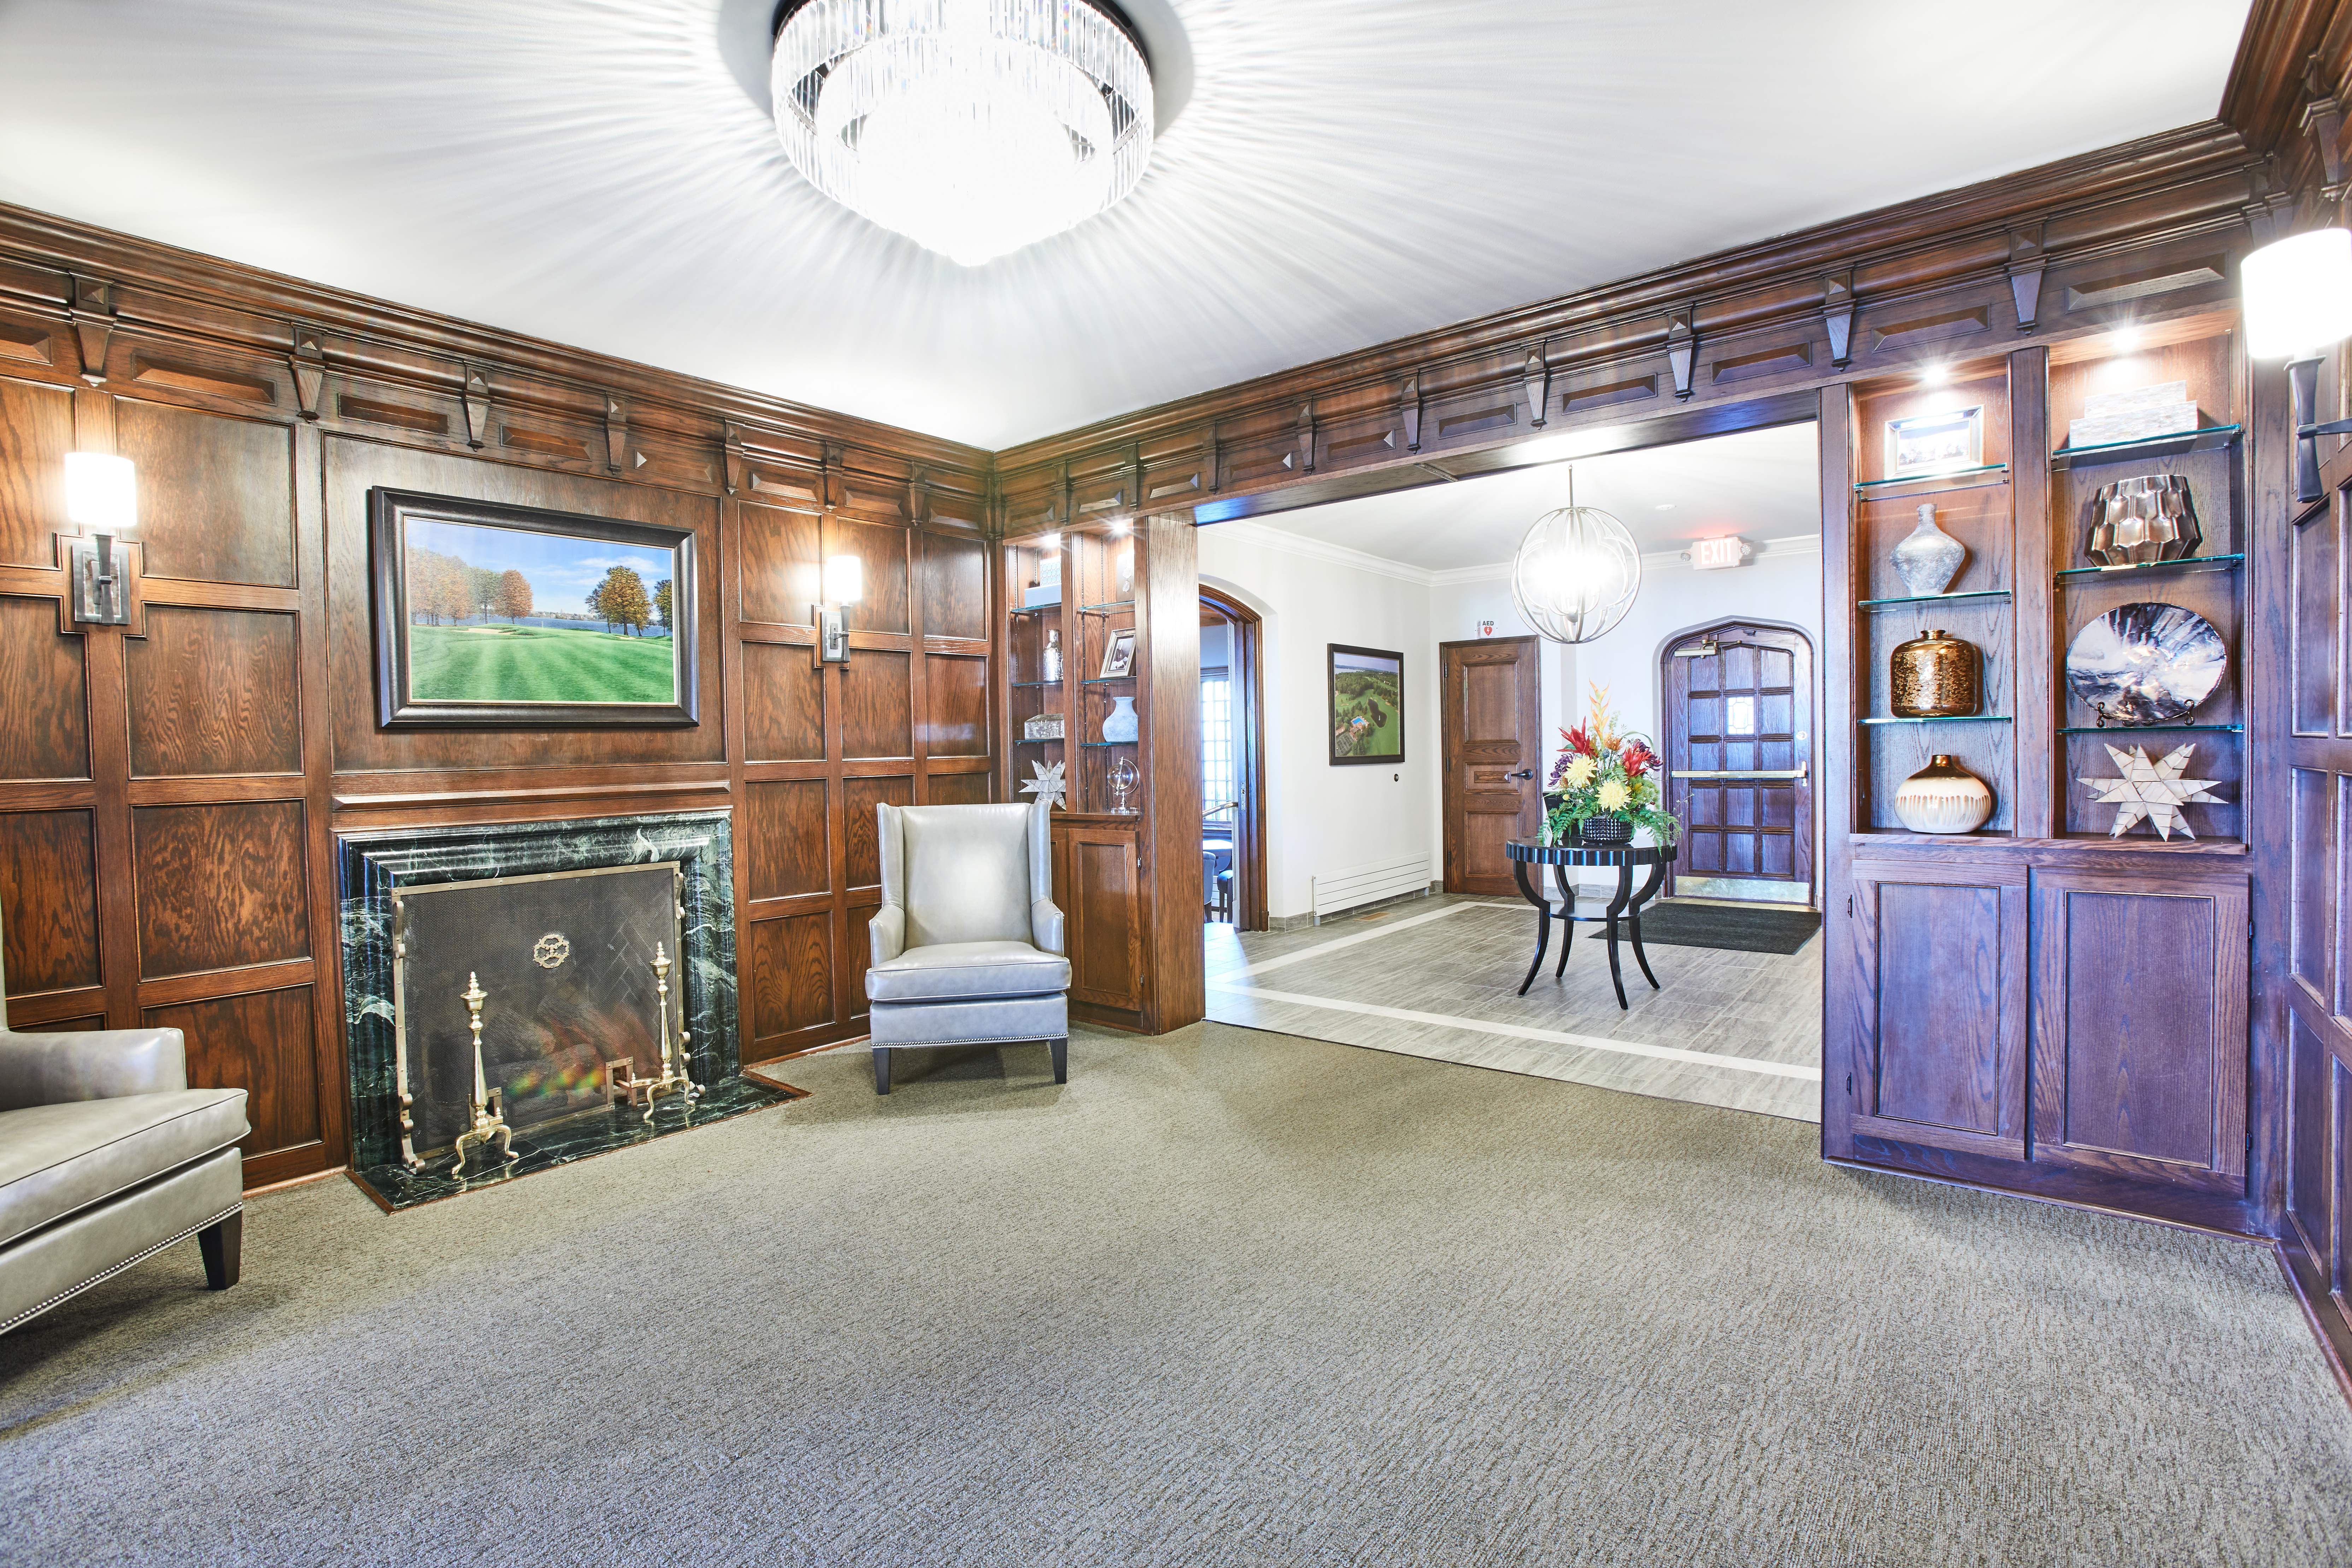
x=1739, y=751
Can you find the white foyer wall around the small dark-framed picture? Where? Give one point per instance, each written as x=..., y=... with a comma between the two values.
x=1321, y=817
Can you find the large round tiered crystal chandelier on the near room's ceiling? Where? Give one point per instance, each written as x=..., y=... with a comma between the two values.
x=968, y=126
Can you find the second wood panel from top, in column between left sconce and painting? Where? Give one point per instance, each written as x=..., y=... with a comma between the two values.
x=213, y=692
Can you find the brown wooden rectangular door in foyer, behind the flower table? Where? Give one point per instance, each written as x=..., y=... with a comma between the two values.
x=1492, y=725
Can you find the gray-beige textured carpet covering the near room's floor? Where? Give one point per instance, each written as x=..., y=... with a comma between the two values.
x=1227, y=1299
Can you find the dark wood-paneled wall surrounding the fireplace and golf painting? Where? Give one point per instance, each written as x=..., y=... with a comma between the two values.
x=171, y=793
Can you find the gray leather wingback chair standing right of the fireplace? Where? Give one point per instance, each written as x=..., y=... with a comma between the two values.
x=968, y=949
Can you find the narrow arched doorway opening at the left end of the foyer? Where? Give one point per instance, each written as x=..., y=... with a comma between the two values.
x=1231, y=763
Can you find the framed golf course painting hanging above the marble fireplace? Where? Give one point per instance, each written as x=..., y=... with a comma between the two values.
x=500, y=617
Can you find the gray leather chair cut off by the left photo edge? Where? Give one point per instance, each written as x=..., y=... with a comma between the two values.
x=109, y=1158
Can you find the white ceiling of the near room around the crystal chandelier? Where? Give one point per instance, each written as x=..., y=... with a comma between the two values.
x=1342, y=173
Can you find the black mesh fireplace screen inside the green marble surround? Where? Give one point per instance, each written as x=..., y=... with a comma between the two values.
x=566, y=965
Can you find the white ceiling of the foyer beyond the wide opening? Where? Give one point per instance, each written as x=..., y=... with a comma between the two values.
x=1758, y=485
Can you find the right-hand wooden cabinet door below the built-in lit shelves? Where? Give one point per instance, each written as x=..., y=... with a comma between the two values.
x=2141, y=1026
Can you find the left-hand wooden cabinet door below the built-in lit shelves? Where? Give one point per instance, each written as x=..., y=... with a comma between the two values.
x=1939, y=1045
